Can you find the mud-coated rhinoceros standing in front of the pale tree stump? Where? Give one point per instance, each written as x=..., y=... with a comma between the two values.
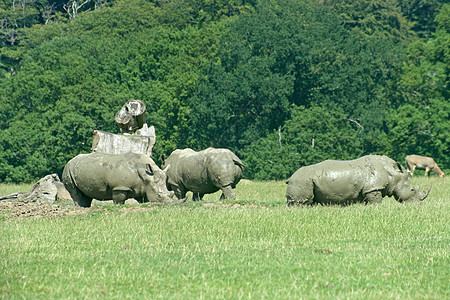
x=115, y=177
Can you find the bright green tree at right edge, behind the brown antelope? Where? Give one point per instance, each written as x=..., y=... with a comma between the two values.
x=421, y=126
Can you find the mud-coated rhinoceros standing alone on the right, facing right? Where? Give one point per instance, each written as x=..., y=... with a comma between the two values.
x=367, y=179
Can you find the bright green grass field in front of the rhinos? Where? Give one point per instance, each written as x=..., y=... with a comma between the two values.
x=252, y=247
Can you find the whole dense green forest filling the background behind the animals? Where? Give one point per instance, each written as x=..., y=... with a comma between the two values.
x=283, y=83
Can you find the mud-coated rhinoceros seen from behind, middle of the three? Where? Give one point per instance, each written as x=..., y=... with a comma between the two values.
x=203, y=172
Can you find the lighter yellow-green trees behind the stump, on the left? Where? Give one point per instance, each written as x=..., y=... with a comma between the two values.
x=74, y=82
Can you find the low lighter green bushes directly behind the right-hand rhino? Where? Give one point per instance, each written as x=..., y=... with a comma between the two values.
x=311, y=136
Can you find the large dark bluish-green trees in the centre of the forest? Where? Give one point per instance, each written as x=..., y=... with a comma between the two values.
x=294, y=53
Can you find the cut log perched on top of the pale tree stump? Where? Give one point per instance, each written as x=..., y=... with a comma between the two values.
x=131, y=116
